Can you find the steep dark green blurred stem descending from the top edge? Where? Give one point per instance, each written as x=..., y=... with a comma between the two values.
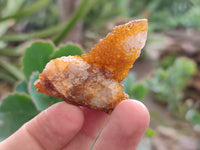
x=78, y=14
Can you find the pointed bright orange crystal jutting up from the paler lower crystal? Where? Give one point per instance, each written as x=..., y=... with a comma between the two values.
x=119, y=49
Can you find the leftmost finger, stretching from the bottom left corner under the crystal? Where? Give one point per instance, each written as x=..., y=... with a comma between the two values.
x=52, y=129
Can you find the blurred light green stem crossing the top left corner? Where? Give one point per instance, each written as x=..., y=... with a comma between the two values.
x=28, y=11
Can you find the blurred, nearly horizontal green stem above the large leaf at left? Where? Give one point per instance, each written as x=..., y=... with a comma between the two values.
x=38, y=34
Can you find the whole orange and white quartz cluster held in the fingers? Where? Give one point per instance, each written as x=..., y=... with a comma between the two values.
x=93, y=80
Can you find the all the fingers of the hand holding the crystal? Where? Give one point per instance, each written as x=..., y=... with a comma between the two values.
x=68, y=127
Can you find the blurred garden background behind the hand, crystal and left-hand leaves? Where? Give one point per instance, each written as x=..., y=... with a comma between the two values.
x=166, y=77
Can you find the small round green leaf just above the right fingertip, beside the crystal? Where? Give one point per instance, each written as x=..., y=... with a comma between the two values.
x=139, y=92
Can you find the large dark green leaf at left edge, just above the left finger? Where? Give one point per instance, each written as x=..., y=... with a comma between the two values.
x=15, y=110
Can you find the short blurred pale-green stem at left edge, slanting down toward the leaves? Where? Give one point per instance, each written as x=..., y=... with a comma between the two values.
x=11, y=69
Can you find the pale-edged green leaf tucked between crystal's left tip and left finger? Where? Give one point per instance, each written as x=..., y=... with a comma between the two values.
x=42, y=101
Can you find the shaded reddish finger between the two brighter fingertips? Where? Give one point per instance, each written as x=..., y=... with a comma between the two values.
x=94, y=122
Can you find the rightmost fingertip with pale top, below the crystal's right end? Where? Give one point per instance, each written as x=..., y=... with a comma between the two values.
x=125, y=127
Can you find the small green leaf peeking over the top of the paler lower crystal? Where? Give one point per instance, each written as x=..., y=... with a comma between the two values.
x=66, y=50
